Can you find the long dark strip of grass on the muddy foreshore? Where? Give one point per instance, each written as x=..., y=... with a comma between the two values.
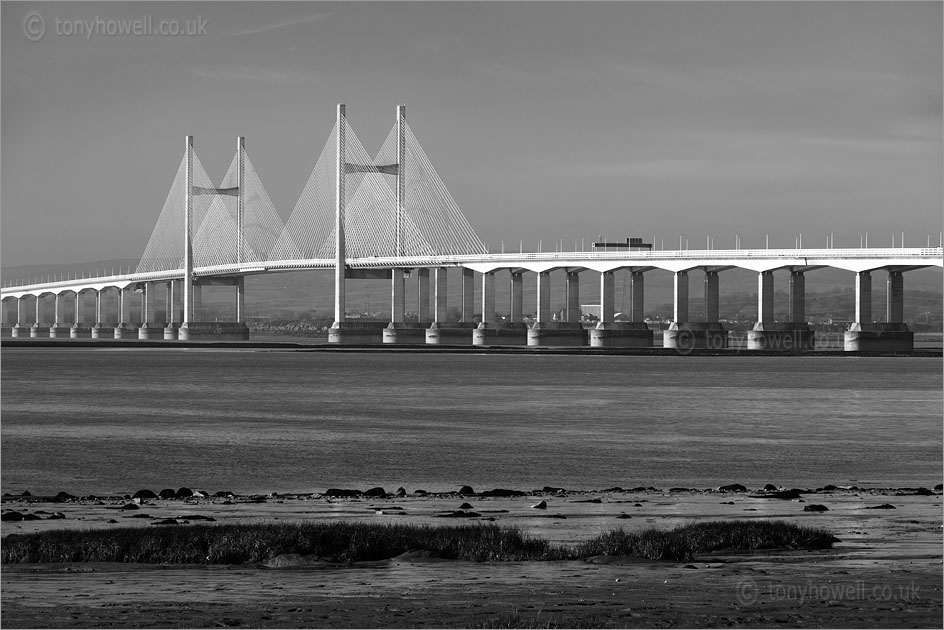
x=356, y=542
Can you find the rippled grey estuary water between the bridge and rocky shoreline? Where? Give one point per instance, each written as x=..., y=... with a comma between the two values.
x=95, y=421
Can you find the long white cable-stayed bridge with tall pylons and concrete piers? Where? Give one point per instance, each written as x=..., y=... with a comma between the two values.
x=391, y=216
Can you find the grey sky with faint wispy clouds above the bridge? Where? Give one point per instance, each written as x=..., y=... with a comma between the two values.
x=546, y=121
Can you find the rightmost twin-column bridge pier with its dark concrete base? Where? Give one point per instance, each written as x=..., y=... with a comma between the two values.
x=891, y=336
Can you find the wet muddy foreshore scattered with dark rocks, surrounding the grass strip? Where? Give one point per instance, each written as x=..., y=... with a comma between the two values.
x=885, y=572
